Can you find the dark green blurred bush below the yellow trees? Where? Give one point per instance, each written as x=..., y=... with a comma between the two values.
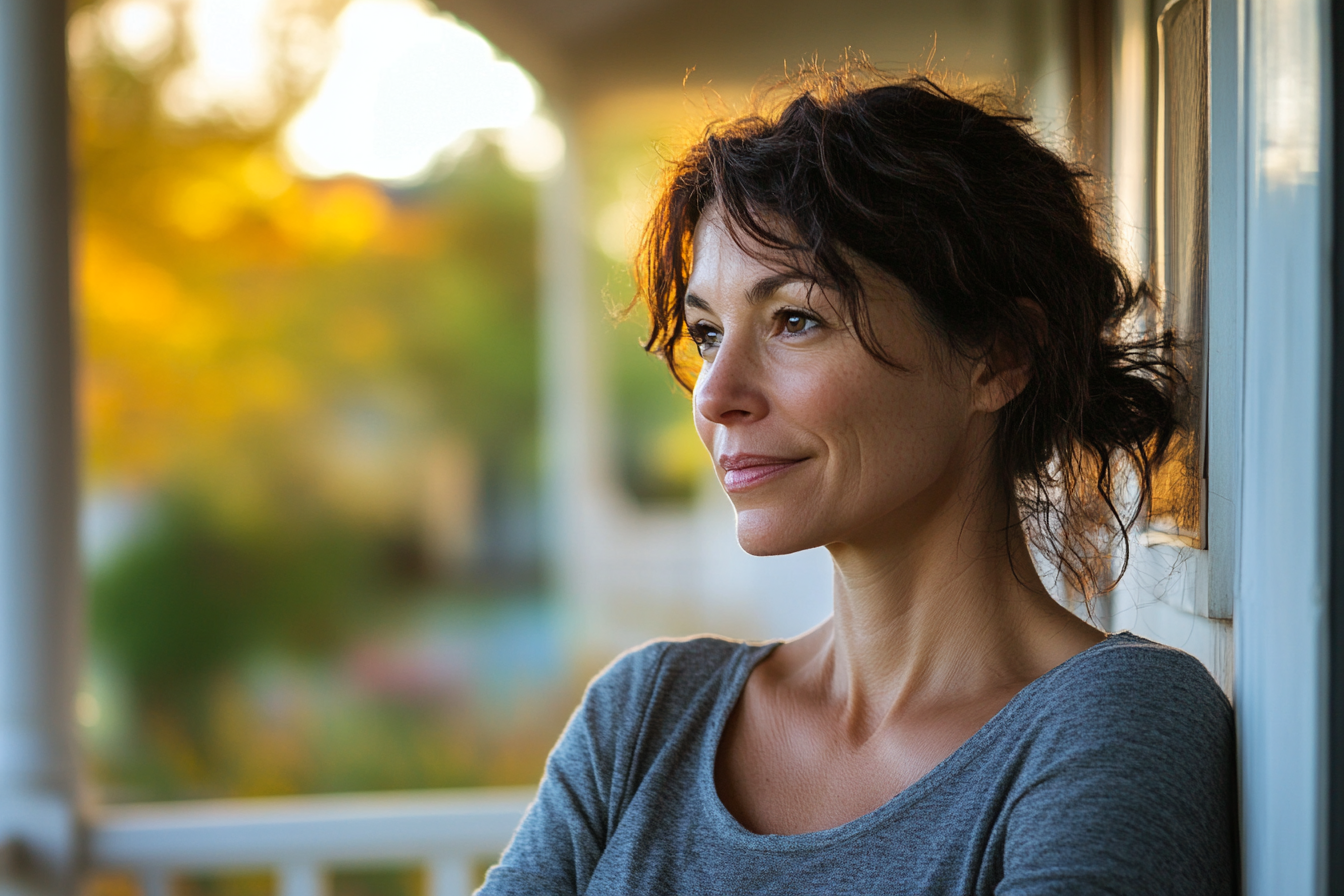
x=194, y=597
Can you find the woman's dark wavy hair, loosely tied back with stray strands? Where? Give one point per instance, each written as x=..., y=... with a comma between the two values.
x=956, y=199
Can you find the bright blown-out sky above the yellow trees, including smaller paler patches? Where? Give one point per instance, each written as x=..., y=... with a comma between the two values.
x=403, y=87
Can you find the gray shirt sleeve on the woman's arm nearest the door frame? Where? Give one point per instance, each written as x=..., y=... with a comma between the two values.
x=1138, y=797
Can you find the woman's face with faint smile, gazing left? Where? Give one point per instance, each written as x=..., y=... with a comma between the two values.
x=816, y=441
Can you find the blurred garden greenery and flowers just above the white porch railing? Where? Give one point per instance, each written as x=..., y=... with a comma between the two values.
x=239, y=643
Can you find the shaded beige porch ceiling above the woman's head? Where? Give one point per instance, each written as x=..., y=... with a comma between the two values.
x=583, y=48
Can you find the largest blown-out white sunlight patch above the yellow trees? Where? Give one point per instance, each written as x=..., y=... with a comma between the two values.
x=407, y=88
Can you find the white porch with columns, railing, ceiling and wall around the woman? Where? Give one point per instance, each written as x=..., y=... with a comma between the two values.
x=1255, y=594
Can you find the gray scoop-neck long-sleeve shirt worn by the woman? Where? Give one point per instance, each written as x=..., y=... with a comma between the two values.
x=1111, y=774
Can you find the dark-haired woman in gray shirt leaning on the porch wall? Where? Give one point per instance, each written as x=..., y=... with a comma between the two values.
x=909, y=345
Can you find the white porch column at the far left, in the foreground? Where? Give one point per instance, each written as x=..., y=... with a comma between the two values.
x=38, y=568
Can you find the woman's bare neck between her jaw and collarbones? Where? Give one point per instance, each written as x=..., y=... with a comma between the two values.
x=933, y=608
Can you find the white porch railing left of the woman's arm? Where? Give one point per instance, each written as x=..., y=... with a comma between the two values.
x=303, y=839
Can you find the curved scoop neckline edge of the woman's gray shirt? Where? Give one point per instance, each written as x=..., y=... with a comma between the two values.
x=732, y=830
